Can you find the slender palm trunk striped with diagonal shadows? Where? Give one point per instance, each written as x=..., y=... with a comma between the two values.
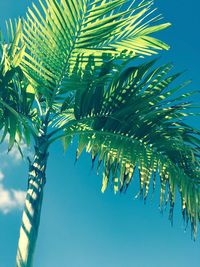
x=32, y=208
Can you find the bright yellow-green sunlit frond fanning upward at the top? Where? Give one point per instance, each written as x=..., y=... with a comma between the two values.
x=58, y=32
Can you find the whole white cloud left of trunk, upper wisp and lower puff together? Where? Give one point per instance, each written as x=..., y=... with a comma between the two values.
x=10, y=199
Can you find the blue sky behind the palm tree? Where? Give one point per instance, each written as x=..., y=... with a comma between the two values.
x=80, y=226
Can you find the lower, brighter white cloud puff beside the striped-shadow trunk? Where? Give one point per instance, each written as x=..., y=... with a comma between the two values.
x=11, y=199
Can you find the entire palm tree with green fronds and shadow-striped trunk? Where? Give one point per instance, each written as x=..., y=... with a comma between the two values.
x=74, y=77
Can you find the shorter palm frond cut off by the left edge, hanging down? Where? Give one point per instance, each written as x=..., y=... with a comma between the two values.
x=16, y=95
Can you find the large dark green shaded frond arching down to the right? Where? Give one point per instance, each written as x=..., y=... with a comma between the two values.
x=136, y=121
